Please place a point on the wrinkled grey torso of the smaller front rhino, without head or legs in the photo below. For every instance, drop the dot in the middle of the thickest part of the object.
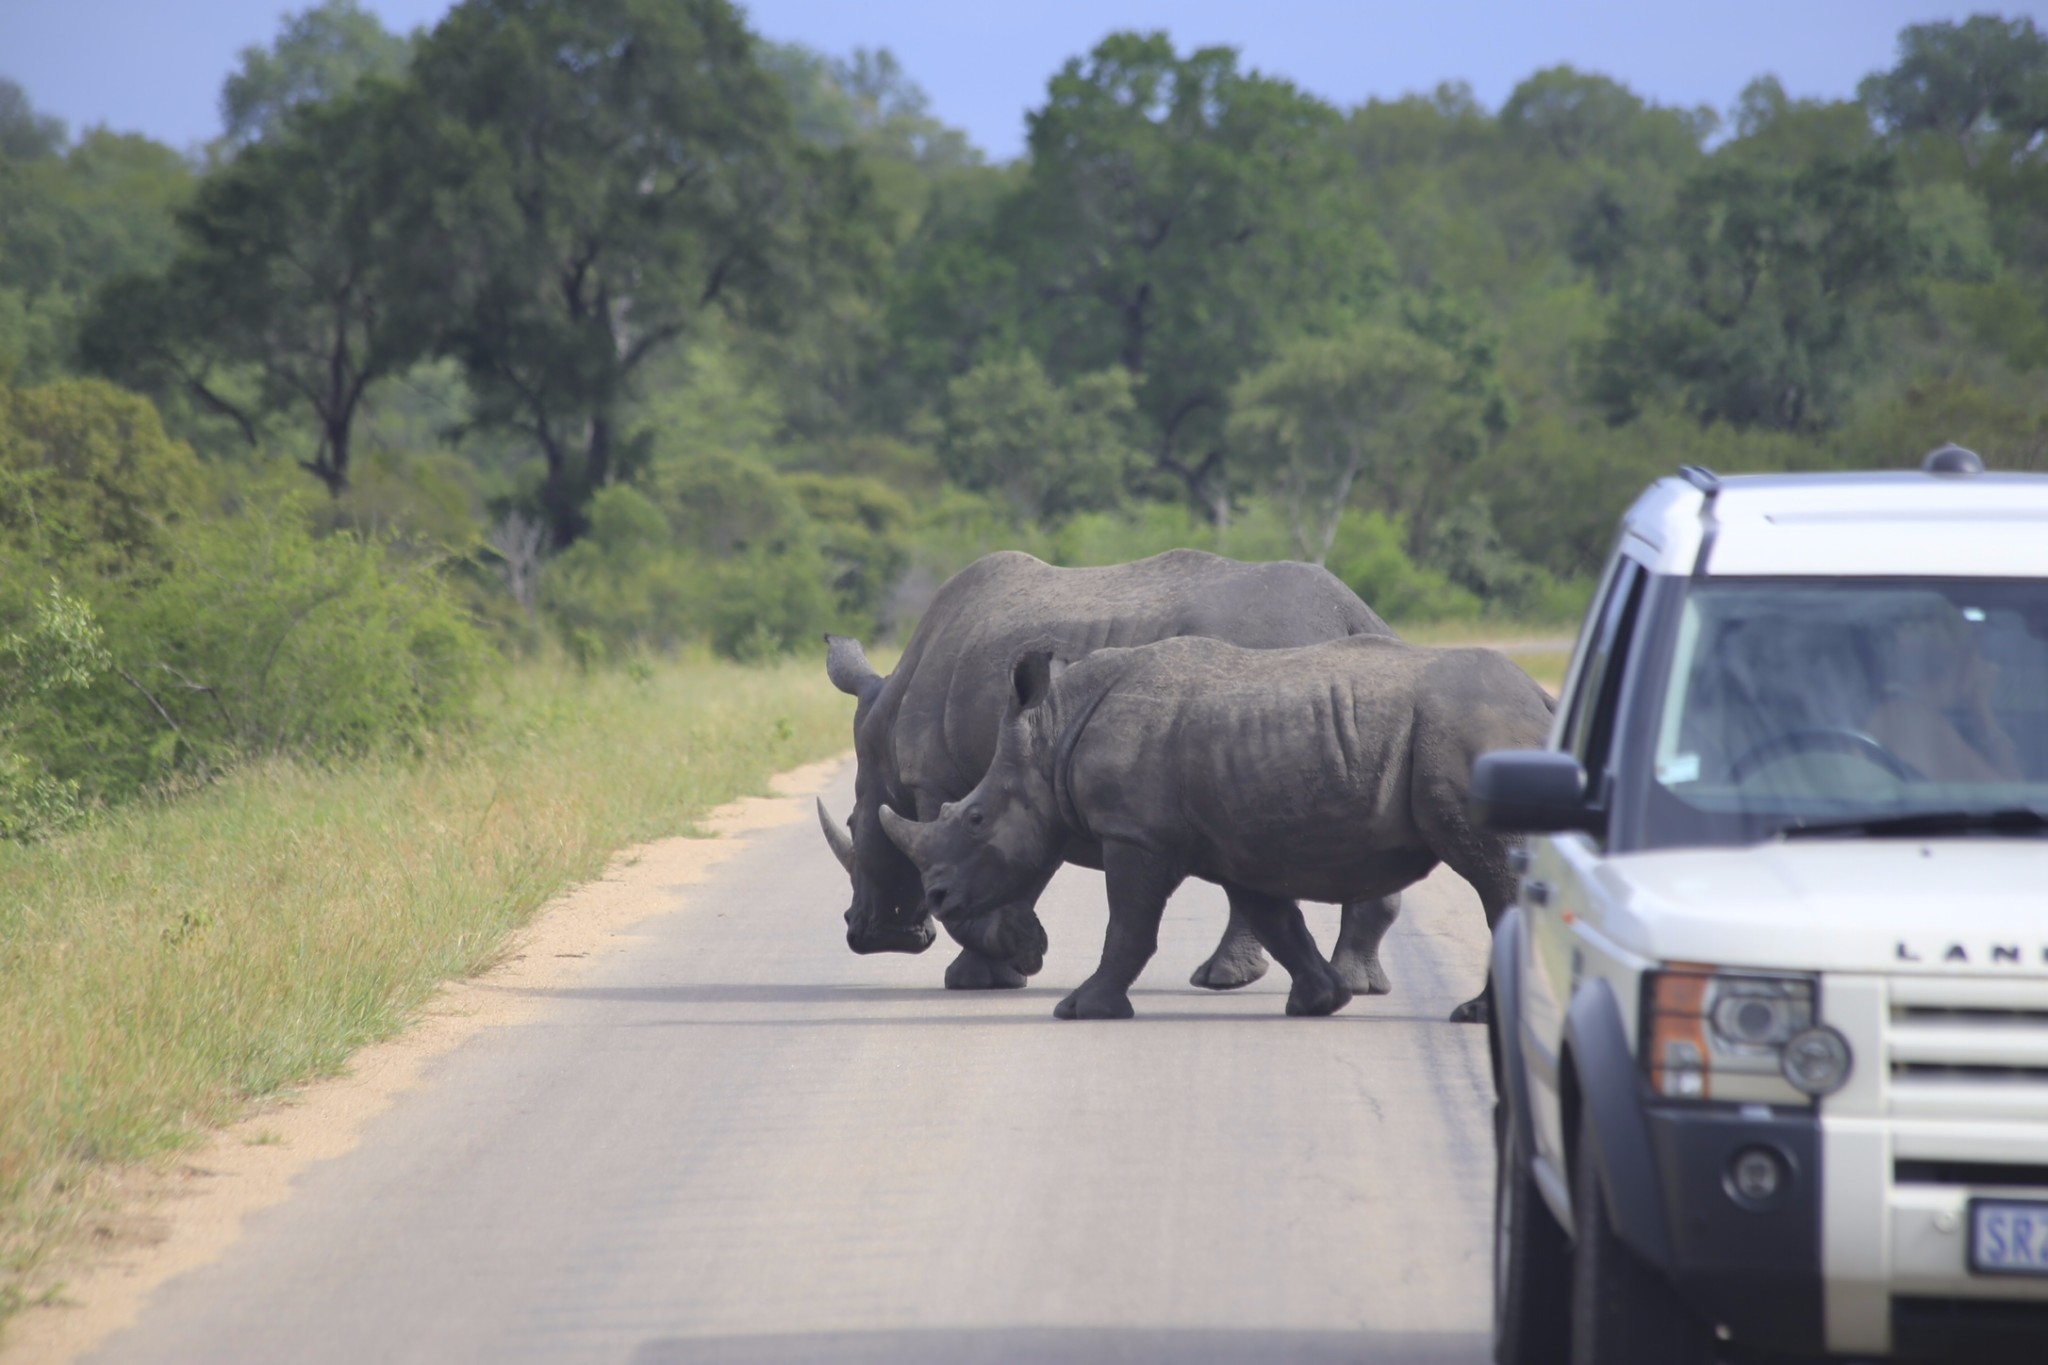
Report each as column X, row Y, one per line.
column 1244, row 762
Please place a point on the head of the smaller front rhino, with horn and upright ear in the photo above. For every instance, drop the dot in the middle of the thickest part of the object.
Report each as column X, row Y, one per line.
column 1002, row 842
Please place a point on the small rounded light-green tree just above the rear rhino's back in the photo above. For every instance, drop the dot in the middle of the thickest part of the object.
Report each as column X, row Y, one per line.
column 1050, row 449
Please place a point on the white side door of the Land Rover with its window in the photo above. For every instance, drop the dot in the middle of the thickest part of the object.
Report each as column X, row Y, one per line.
column 1562, row 867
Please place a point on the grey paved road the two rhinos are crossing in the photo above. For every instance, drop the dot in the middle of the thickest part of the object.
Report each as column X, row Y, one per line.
column 740, row 1143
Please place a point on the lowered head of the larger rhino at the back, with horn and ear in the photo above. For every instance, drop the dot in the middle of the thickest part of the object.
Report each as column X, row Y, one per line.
column 888, row 912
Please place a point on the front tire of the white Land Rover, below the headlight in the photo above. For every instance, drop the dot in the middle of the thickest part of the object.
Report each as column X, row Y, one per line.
column 1623, row 1313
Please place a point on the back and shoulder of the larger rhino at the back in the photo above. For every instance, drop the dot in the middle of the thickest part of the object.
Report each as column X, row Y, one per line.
column 947, row 697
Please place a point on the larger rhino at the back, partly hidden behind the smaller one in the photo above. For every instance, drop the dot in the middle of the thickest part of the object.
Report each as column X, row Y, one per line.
column 927, row 734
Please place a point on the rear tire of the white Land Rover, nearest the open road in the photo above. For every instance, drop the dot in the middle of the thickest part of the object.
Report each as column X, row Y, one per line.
column 1531, row 1258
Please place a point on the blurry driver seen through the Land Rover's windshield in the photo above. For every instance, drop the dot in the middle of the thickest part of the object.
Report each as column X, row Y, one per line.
column 1936, row 711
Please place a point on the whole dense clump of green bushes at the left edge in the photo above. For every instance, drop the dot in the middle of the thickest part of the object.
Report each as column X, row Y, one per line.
column 183, row 642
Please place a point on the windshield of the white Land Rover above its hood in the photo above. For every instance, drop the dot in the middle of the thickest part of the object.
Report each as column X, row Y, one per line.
column 1801, row 703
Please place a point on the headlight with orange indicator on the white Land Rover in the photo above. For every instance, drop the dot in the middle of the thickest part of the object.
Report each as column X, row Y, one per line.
column 1736, row 1037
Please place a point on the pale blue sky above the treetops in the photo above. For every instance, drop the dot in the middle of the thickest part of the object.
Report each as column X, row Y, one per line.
column 157, row 67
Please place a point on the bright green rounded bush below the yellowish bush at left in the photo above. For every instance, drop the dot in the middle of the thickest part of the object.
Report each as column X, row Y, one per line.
column 263, row 640
